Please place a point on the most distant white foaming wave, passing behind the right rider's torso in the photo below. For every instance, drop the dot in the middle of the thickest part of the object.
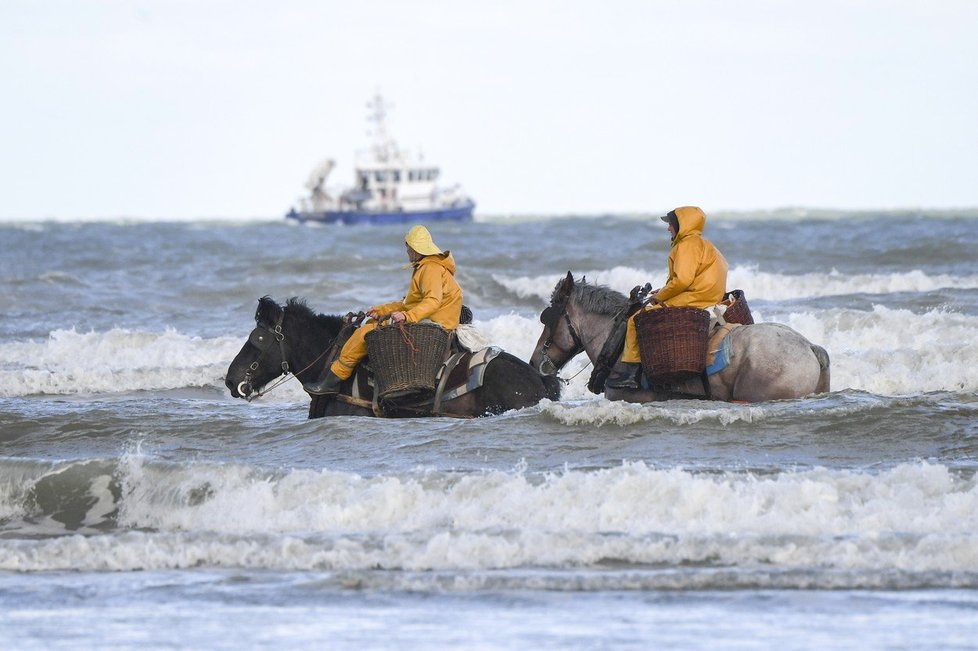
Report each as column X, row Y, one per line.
column 756, row 284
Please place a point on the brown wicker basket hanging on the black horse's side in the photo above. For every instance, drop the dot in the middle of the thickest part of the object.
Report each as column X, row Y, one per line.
column 405, row 357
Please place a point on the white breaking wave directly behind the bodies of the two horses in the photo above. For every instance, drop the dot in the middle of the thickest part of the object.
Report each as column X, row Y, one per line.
column 884, row 351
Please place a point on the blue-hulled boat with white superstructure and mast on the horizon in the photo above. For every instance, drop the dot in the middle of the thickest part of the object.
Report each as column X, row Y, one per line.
column 390, row 186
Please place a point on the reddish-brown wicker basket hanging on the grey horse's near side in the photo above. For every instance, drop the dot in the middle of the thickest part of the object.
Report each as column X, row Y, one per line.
column 672, row 342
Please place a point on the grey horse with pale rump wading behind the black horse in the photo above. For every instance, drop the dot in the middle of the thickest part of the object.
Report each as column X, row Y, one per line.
column 768, row 361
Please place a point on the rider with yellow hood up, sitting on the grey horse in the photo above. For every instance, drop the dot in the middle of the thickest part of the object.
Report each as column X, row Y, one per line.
column 697, row 278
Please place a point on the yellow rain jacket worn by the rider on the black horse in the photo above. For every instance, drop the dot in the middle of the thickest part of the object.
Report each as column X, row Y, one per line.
column 433, row 293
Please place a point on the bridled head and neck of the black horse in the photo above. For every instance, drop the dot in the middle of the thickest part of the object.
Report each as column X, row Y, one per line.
column 286, row 339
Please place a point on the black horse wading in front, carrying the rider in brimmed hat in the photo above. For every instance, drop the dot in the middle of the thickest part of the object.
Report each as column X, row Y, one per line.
column 294, row 339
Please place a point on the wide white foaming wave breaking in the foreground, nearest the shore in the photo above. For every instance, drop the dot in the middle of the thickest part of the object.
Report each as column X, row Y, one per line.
column 912, row 518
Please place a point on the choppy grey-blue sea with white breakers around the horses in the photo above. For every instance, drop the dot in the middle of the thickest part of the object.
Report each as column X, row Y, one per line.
column 142, row 507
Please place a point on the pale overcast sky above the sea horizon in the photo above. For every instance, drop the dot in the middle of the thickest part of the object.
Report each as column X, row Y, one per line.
column 221, row 108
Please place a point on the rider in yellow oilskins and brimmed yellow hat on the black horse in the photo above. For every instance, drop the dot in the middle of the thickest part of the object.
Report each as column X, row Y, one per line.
column 433, row 295
